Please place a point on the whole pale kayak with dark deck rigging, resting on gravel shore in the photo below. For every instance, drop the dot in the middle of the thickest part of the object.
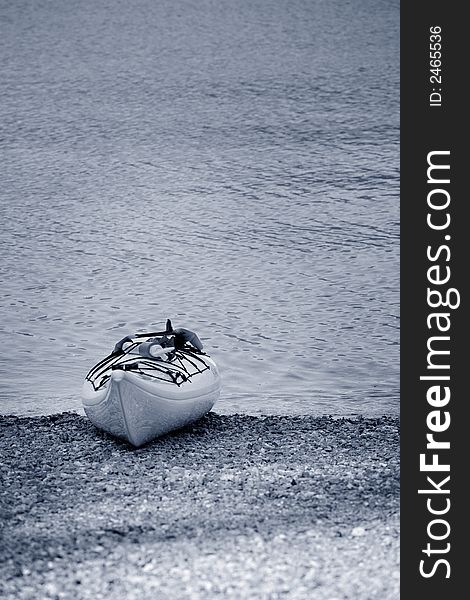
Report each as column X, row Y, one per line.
column 151, row 385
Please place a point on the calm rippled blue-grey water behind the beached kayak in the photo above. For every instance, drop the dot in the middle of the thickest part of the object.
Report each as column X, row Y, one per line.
column 231, row 165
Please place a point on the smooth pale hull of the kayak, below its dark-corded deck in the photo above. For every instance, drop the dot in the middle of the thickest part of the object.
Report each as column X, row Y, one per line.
column 138, row 409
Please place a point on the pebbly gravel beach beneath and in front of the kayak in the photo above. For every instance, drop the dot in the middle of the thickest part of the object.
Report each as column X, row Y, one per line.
column 231, row 507
